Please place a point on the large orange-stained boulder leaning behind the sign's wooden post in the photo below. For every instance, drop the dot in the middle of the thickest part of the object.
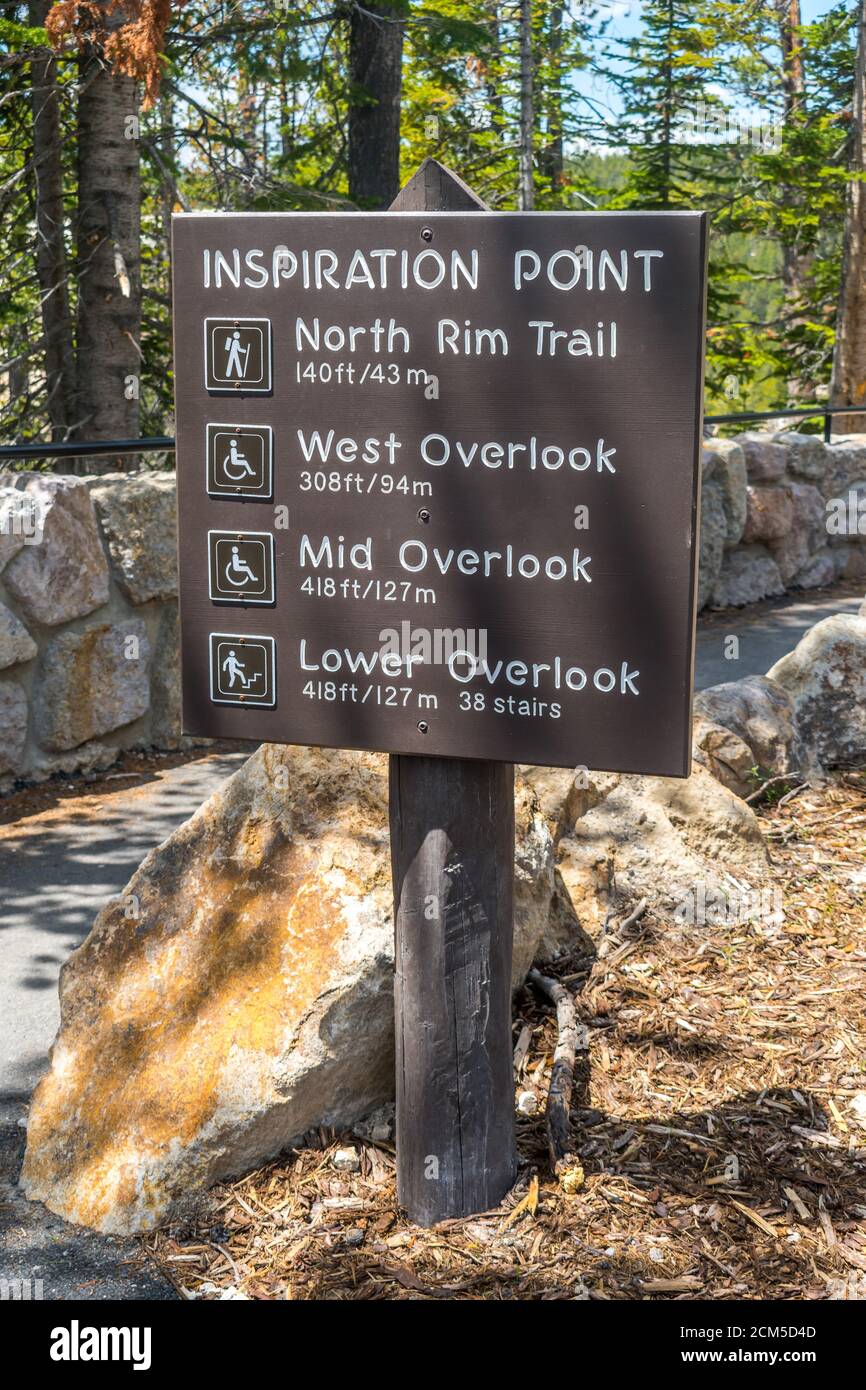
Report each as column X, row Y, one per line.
column 238, row 993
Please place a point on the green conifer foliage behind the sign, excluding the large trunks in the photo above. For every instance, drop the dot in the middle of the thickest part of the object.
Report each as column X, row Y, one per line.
column 254, row 116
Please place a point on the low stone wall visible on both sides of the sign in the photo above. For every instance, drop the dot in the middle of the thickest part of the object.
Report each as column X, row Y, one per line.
column 88, row 586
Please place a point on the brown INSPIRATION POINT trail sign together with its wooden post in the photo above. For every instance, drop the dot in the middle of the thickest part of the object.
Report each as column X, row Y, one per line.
column 439, row 489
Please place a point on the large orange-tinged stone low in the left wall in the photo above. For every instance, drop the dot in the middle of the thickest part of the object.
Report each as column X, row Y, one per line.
column 92, row 683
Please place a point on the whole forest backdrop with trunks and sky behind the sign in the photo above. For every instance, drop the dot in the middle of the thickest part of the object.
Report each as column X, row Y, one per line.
column 116, row 113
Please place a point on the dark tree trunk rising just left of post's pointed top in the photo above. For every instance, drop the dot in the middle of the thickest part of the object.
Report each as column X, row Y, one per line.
column 376, row 59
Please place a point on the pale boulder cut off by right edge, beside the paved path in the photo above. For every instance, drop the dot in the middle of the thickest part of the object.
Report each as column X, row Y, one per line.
column 826, row 679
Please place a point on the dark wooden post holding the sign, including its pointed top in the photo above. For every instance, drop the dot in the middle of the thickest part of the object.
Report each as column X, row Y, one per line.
column 452, row 856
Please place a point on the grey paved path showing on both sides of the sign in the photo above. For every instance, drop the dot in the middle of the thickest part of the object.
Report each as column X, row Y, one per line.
column 59, row 867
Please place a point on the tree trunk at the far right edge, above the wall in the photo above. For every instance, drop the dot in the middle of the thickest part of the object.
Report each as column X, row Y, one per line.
column 850, row 357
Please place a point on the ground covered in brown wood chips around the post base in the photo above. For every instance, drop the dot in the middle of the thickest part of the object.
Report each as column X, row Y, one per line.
column 719, row 1117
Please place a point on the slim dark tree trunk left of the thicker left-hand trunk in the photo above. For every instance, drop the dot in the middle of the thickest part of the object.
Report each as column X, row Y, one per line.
column 51, row 250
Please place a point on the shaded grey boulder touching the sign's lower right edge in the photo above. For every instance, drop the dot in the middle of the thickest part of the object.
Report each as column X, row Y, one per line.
column 758, row 717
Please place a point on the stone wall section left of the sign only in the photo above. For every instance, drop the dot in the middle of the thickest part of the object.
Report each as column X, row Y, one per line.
column 88, row 621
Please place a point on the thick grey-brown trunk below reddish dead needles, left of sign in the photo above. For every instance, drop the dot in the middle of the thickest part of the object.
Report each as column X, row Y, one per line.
column 109, row 258
